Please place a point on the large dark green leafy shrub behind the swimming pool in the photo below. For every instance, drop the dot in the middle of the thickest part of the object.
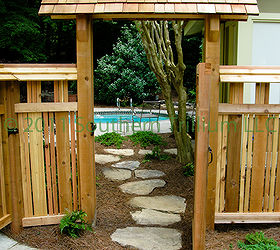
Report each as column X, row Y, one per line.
column 125, row 73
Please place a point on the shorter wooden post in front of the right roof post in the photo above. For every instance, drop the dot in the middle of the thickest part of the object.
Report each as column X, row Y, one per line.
column 201, row 155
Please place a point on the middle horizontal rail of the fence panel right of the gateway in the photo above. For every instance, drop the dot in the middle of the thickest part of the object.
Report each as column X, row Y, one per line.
column 236, row 109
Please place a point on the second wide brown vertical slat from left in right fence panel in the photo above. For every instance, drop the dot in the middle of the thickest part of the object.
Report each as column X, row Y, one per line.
column 259, row 155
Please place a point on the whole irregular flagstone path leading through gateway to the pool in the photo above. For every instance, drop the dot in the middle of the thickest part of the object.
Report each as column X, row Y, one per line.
column 155, row 212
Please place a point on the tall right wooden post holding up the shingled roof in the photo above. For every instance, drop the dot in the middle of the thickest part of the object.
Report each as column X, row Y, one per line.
column 212, row 56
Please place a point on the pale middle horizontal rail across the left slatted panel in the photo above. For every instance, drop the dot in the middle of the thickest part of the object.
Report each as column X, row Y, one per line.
column 45, row 107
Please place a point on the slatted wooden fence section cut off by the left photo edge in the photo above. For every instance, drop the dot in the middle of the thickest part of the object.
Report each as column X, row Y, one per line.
column 5, row 216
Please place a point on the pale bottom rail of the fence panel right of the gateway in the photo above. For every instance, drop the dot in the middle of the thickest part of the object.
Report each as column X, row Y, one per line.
column 240, row 218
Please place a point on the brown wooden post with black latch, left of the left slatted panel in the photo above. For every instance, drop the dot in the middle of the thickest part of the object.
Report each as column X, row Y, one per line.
column 13, row 96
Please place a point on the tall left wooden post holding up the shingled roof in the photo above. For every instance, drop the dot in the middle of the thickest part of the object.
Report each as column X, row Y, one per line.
column 85, row 115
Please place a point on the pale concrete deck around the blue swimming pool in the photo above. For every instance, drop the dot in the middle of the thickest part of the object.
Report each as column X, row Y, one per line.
column 126, row 128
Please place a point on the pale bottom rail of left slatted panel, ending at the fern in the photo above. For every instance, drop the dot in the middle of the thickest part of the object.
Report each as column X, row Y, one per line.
column 42, row 220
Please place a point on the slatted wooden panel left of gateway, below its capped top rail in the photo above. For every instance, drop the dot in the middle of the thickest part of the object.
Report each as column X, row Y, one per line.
column 48, row 155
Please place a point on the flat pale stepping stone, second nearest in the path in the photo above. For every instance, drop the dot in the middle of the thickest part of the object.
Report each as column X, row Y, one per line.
column 153, row 217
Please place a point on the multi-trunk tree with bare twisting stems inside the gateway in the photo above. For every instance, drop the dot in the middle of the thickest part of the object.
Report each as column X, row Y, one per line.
column 166, row 60
